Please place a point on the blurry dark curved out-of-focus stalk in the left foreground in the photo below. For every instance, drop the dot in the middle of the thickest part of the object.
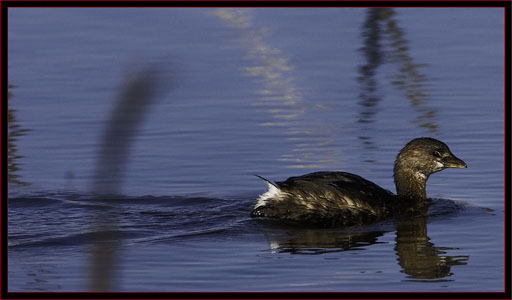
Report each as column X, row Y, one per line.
column 120, row 131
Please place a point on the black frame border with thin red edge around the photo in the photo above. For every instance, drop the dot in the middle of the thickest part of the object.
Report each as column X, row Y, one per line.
column 261, row 295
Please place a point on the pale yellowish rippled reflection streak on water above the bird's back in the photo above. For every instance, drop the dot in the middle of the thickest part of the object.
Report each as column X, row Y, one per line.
column 278, row 95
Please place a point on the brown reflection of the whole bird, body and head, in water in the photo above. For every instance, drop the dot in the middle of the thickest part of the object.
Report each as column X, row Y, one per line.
column 419, row 258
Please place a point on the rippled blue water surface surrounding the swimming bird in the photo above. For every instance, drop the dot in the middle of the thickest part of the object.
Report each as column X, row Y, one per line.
column 229, row 93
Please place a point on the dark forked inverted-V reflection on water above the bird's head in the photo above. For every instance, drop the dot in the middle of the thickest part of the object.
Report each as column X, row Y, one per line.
column 380, row 27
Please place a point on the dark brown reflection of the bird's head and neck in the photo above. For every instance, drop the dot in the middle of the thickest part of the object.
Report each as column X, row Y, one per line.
column 417, row 256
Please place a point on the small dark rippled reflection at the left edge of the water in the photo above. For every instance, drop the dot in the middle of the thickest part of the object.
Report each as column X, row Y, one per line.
column 15, row 132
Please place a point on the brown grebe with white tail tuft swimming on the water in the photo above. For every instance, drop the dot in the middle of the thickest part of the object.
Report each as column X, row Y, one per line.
column 346, row 199
